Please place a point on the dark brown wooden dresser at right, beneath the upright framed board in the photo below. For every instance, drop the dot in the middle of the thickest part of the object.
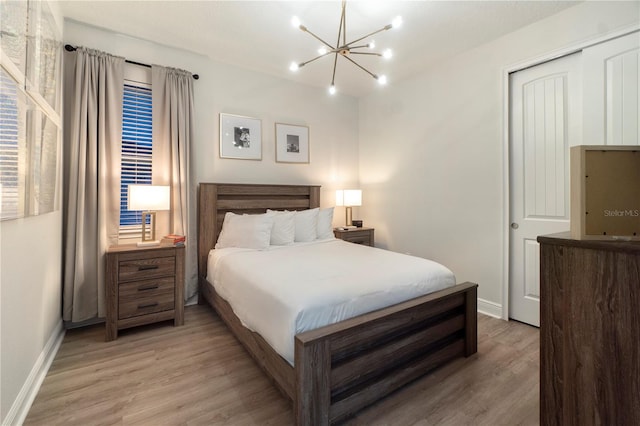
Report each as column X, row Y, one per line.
column 589, row 332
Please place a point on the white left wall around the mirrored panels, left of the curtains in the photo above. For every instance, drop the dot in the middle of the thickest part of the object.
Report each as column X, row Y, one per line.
column 30, row 291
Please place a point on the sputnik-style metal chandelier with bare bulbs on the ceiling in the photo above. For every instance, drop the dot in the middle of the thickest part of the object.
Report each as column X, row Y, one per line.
column 344, row 49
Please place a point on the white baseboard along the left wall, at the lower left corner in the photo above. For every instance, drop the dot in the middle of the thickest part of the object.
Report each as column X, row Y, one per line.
column 21, row 406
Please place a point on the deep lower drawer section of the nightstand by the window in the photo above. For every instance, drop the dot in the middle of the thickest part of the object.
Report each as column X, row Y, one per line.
column 146, row 297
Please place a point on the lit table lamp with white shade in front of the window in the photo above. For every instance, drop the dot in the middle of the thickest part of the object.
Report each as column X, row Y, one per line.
column 148, row 198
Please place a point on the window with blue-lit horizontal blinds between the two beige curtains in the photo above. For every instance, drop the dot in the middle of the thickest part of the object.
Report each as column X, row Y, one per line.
column 137, row 149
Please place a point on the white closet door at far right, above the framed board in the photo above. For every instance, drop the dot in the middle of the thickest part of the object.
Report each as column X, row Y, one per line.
column 611, row 80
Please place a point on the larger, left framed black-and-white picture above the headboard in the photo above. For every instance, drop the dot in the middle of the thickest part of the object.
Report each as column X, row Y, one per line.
column 240, row 137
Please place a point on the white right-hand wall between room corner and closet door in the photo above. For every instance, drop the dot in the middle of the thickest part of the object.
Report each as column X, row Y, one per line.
column 431, row 149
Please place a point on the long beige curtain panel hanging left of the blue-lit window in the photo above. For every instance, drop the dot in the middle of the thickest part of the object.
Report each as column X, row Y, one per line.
column 92, row 139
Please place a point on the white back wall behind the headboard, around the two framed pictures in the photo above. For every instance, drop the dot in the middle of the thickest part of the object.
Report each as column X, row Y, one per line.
column 222, row 88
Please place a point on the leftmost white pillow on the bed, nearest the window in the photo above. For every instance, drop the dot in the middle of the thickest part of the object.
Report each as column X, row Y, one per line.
column 246, row 231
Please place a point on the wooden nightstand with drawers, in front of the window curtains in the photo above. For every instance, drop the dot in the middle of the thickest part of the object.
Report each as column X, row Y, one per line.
column 144, row 285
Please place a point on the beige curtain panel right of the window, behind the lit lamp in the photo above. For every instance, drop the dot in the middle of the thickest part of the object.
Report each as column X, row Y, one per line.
column 172, row 134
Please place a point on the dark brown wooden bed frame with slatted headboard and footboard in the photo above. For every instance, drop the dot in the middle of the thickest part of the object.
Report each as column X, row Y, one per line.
column 343, row 367
